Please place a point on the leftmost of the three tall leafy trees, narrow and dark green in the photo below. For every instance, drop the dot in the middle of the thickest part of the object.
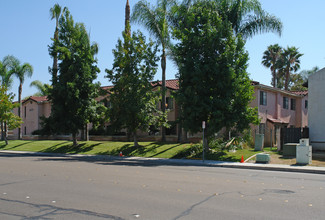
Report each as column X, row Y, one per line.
column 74, row 95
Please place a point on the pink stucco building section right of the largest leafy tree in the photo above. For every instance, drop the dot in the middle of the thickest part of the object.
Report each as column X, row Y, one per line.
column 278, row 108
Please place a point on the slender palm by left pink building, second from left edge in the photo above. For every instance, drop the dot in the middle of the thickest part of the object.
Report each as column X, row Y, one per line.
column 20, row 71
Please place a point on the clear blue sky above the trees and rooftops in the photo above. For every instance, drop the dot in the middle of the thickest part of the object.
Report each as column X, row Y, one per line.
column 26, row 29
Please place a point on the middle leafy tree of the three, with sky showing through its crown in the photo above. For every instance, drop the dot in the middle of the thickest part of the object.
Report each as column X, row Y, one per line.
column 133, row 103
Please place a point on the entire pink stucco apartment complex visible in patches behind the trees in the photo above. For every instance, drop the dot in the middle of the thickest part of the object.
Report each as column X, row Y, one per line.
column 276, row 108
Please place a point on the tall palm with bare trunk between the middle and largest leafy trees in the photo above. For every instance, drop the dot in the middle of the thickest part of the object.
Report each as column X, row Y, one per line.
column 155, row 20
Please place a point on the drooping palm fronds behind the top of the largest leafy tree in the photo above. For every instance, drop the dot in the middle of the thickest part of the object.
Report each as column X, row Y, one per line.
column 247, row 17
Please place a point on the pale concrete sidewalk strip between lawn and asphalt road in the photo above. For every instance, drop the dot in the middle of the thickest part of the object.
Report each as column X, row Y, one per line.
column 162, row 161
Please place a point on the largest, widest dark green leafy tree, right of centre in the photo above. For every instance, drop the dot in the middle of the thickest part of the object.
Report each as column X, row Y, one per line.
column 214, row 84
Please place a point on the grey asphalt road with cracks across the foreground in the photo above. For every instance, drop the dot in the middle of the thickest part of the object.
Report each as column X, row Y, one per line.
column 34, row 187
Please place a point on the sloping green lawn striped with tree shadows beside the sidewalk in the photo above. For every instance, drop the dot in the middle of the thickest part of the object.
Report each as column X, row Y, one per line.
column 146, row 149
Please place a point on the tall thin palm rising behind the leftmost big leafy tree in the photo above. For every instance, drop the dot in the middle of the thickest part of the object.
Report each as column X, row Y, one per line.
column 55, row 13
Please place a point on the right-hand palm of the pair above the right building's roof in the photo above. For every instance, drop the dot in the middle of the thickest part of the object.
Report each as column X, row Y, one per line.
column 290, row 60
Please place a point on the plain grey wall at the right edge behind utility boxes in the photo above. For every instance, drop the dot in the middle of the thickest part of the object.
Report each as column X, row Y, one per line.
column 316, row 109
